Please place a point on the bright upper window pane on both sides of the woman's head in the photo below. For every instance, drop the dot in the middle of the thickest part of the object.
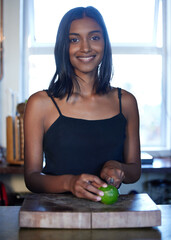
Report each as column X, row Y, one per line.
column 128, row 21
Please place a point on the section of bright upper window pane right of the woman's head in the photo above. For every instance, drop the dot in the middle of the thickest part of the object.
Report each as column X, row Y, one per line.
column 129, row 21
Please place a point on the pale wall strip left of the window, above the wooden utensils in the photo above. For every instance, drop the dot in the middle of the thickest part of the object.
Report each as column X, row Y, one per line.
column 12, row 70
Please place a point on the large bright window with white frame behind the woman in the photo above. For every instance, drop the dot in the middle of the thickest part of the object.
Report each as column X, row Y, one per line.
column 137, row 30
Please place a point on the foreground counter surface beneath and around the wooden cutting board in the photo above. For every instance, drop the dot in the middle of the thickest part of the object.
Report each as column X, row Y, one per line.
column 9, row 229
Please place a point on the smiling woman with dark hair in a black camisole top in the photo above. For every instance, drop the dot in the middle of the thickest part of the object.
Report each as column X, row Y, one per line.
column 88, row 130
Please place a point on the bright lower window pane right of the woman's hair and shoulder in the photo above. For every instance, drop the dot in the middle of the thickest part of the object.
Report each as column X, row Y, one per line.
column 141, row 75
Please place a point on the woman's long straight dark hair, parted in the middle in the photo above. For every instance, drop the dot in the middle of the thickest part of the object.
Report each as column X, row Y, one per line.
column 62, row 82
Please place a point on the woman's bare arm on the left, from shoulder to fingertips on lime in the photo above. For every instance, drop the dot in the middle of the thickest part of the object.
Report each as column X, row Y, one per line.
column 83, row 186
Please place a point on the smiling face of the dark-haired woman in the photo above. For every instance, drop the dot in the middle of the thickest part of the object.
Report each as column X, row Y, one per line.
column 86, row 45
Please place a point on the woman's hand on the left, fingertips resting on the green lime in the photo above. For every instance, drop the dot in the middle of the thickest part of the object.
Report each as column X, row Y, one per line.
column 86, row 186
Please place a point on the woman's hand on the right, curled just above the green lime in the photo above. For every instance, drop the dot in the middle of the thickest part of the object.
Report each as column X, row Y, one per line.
column 112, row 172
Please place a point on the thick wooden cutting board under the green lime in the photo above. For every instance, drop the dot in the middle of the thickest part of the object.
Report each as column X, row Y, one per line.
column 67, row 211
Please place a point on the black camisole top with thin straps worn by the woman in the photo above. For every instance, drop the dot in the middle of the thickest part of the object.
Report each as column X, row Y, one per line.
column 75, row 146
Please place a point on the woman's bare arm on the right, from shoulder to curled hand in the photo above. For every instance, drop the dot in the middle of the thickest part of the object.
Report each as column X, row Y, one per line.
column 130, row 170
